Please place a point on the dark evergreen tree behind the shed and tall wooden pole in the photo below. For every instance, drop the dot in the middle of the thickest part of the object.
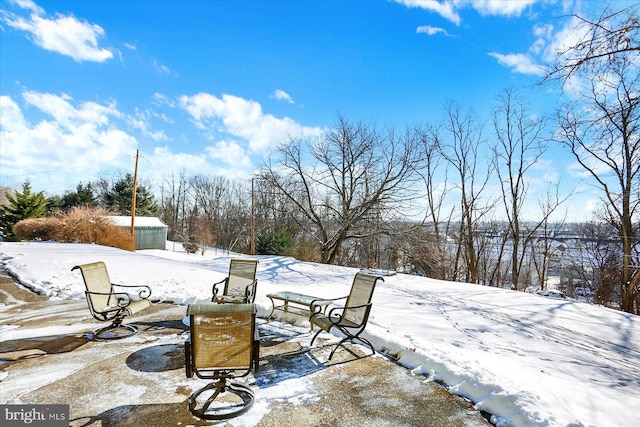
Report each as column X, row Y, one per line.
column 118, row 198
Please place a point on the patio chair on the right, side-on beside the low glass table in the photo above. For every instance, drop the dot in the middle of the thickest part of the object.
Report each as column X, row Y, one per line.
column 350, row 319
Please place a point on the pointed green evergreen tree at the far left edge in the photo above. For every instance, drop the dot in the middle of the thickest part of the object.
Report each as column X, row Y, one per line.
column 23, row 205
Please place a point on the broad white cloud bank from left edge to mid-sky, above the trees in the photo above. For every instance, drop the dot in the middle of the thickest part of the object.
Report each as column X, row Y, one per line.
column 73, row 141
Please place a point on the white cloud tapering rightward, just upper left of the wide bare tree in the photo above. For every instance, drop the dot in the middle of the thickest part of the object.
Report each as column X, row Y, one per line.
column 242, row 119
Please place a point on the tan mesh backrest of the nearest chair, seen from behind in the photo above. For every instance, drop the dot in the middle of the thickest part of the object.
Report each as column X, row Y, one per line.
column 222, row 337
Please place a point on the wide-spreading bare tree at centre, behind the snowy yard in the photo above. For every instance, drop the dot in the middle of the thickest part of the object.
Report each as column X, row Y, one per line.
column 339, row 182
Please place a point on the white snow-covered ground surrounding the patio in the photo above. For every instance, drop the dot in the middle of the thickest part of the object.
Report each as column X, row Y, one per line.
column 527, row 359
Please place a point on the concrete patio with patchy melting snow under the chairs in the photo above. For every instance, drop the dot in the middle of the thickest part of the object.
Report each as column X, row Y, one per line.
column 140, row 380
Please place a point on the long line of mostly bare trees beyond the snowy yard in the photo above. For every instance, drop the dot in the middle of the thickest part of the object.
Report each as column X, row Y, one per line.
column 421, row 200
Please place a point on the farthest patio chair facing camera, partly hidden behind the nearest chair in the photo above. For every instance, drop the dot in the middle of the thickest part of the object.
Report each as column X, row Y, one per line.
column 240, row 285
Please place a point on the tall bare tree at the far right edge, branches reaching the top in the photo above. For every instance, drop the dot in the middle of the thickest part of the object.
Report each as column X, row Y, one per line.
column 602, row 128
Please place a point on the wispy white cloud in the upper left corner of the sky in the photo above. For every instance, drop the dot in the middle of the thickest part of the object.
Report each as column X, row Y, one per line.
column 63, row 34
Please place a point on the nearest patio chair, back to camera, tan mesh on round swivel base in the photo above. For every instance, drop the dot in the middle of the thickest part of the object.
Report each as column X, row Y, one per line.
column 224, row 343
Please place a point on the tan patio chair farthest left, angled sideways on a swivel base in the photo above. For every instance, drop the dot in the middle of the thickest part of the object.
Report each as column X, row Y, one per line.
column 108, row 303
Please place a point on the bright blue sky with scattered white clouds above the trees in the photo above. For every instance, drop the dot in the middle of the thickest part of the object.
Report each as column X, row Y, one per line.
column 212, row 87
